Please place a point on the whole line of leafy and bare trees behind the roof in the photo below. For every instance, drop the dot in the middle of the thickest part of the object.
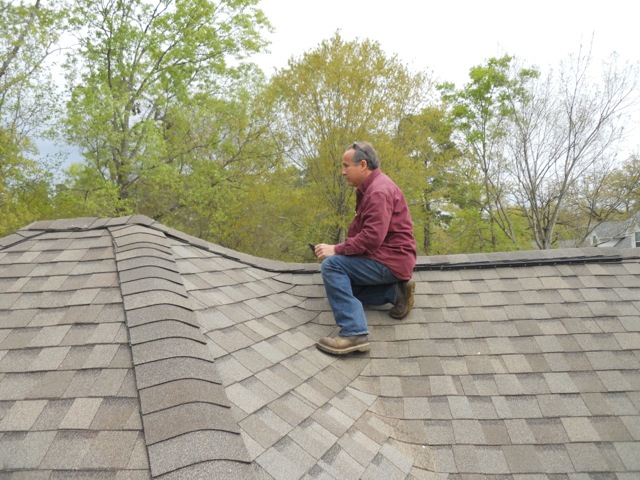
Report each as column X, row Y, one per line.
column 172, row 123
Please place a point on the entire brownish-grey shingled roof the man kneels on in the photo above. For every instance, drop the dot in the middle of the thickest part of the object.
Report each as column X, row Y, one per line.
column 131, row 350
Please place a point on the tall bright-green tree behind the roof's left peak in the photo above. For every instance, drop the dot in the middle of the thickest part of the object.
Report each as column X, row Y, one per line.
column 141, row 67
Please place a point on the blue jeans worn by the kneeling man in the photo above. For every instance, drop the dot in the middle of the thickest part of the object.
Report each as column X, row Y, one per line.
column 350, row 283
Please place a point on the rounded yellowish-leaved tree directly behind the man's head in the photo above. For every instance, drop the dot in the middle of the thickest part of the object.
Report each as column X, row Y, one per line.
column 333, row 95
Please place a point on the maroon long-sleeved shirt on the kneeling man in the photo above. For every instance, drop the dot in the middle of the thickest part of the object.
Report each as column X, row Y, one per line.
column 382, row 228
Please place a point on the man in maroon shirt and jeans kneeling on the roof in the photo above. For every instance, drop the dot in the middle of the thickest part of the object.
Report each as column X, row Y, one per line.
column 374, row 265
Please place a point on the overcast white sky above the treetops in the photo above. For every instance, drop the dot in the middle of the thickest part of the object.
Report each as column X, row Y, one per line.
column 449, row 37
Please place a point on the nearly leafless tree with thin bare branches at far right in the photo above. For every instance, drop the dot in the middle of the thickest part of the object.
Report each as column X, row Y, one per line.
column 564, row 136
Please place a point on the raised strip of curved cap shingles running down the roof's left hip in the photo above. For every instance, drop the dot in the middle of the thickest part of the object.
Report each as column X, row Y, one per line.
column 155, row 340
